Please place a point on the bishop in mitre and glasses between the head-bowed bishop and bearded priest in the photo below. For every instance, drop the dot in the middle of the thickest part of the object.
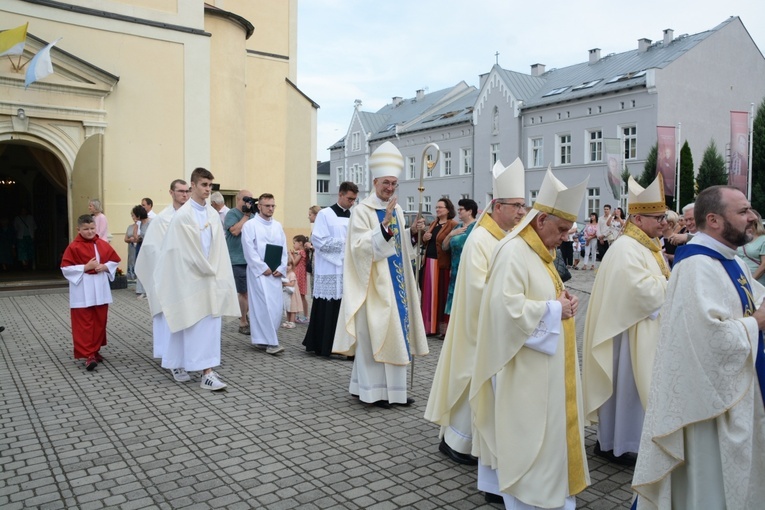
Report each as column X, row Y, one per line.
column 622, row 326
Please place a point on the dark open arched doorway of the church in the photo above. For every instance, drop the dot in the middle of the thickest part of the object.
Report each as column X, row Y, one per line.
column 33, row 200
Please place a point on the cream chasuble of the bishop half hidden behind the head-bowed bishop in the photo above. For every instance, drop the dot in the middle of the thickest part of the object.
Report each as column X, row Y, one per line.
column 451, row 382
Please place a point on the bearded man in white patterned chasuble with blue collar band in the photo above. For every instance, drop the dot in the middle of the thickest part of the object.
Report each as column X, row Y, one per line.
column 703, row 442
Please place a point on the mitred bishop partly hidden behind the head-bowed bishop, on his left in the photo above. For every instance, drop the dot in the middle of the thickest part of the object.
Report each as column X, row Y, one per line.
column 448, row 403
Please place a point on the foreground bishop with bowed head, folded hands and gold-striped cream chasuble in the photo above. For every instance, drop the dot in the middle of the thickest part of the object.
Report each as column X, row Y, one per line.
column 526, row 392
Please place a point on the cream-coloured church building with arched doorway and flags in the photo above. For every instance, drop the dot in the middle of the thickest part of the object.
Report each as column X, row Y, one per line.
column 143, row 92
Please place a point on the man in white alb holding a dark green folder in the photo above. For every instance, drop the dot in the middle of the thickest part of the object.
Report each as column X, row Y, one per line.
column 260, row 236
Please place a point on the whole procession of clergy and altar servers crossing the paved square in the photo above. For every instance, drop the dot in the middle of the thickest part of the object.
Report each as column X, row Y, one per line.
column 672, row 372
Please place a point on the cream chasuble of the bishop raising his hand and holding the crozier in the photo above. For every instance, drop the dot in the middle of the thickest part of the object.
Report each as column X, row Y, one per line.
column 368, row 283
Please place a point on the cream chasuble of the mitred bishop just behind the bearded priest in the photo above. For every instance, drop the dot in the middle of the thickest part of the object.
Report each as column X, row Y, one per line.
column 628, row 291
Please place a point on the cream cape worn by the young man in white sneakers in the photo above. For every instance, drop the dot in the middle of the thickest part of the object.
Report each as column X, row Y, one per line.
column 189, row 284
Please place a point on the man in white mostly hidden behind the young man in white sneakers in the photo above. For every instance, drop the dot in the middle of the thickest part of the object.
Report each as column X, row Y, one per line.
column 146, row 263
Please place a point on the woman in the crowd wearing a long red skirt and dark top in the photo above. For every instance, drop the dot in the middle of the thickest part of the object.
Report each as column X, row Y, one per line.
column 434, row 276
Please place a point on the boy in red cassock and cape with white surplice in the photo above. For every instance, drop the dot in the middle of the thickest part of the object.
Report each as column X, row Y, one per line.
column 89, row 263
